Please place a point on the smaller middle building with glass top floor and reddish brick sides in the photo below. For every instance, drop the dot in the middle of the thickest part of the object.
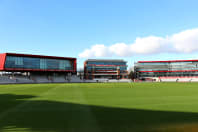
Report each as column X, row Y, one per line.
column 109, row 69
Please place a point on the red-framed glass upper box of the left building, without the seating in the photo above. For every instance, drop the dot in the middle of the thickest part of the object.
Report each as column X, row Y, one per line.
column 13, row 62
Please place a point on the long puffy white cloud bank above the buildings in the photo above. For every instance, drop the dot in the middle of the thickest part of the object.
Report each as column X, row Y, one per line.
column 183, row 42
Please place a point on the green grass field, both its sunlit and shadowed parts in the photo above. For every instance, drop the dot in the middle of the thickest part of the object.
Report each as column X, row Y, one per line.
column 99, row 107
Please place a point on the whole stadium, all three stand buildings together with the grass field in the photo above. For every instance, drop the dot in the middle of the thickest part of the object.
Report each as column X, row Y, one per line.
column 55, row 99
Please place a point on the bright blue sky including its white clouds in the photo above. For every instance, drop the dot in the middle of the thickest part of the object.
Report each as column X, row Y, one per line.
column 71, row 27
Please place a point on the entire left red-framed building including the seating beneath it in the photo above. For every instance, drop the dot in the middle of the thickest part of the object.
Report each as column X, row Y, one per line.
column 35, row 68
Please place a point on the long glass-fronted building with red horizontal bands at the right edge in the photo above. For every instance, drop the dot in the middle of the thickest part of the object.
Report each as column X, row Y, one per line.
column 173, row 68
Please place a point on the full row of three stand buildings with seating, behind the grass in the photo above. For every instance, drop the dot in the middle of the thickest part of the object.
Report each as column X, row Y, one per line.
column 27, row 68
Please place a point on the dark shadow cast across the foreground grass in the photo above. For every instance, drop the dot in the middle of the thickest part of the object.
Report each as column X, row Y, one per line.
column 19, row 114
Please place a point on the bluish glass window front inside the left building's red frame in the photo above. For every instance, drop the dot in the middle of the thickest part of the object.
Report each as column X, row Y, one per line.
column 38, row 63
